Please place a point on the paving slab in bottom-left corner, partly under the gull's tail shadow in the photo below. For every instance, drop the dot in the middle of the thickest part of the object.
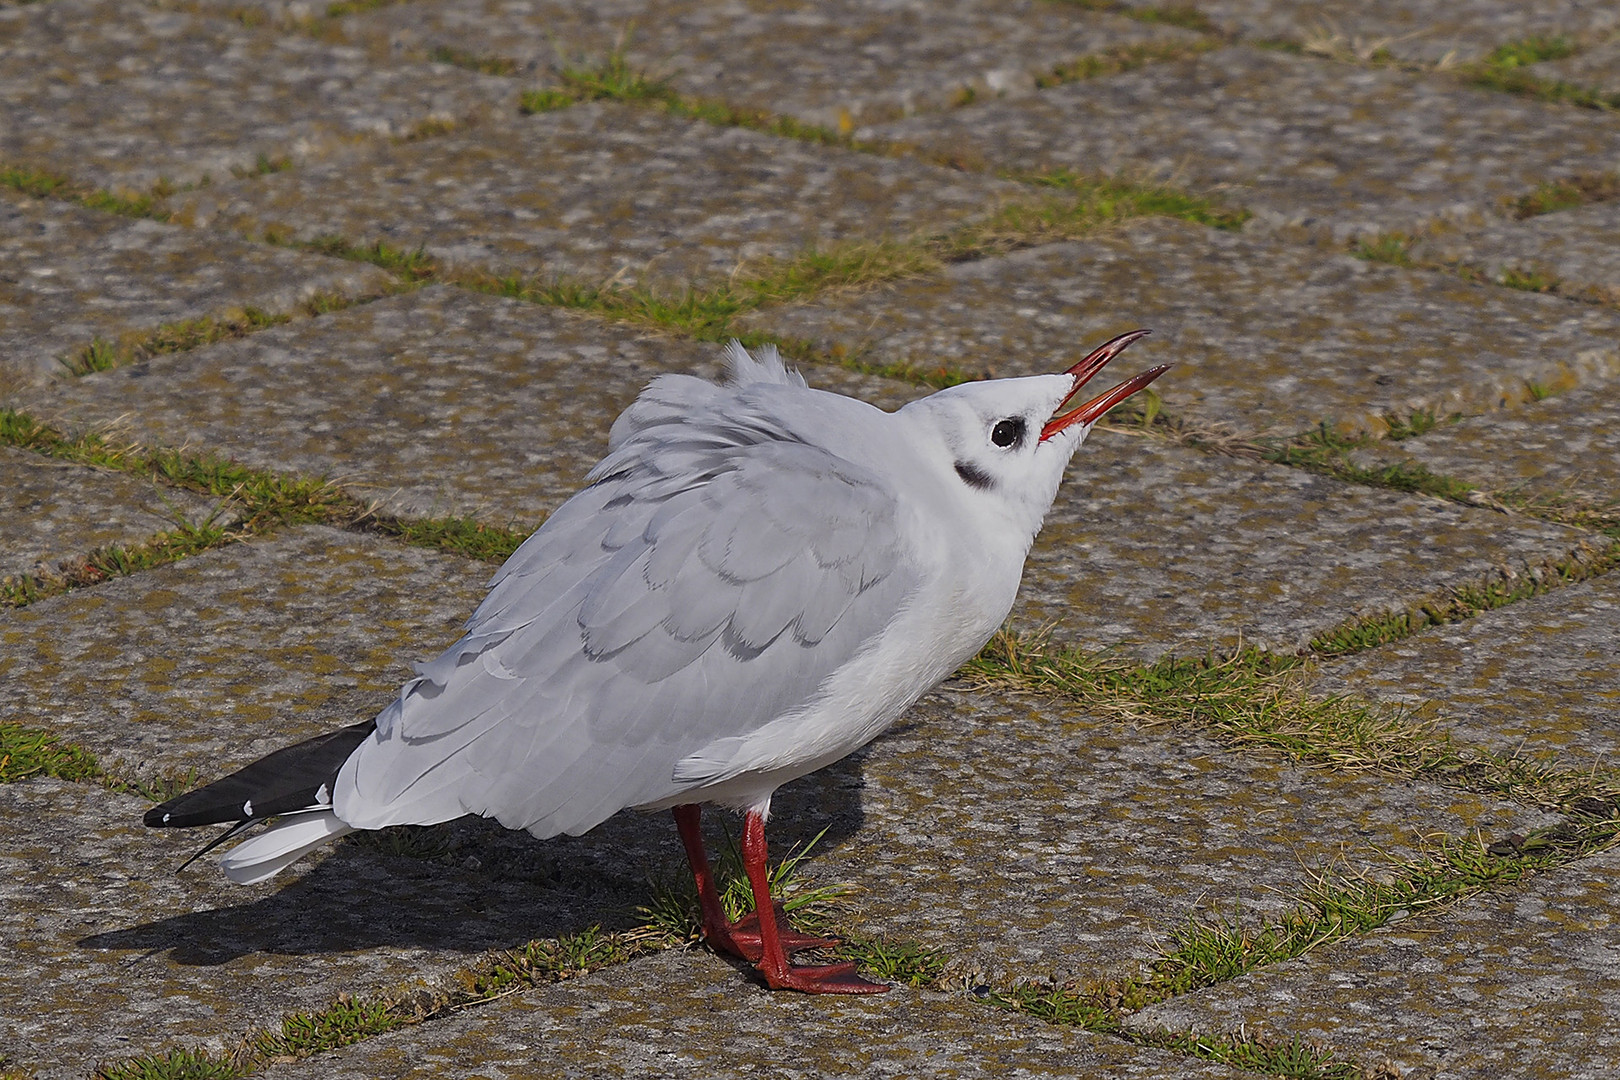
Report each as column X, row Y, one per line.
column 111, row 955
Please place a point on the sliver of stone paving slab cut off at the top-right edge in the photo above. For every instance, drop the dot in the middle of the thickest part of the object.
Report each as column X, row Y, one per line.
column 1412, row 30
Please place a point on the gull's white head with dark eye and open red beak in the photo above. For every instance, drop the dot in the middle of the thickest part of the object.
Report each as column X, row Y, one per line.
column 1007, row 440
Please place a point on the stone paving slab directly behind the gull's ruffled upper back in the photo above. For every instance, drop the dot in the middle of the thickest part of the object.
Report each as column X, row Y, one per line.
column 433, row 402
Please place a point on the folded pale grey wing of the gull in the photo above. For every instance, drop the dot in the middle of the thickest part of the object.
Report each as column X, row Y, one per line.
column 686, row 602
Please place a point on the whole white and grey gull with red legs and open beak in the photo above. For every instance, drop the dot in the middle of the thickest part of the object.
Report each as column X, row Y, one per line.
column 756, row 582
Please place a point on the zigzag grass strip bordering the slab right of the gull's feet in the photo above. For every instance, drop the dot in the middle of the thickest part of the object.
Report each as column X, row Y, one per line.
column 1251, row 700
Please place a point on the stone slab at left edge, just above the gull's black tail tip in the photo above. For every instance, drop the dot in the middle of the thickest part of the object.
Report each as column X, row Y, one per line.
column 218, row 660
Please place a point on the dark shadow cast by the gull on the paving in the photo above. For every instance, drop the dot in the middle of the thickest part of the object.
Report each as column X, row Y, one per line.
column 472, row 887
